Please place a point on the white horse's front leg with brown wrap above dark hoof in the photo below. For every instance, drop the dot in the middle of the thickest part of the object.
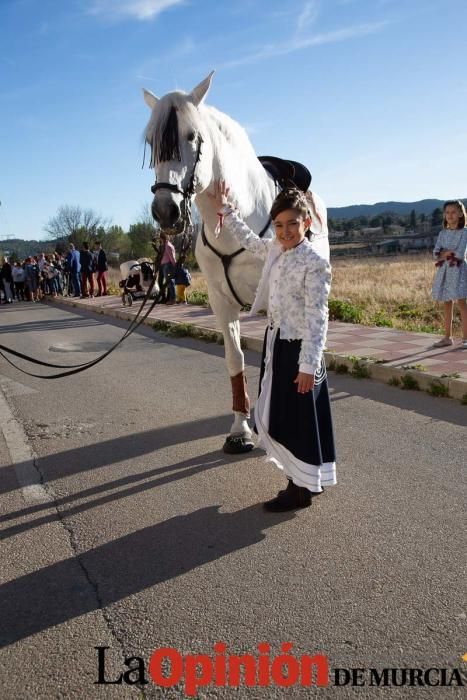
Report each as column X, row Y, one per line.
column 226, row 314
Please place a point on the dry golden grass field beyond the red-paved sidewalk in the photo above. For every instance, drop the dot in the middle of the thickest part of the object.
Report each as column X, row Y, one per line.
column 385, row 291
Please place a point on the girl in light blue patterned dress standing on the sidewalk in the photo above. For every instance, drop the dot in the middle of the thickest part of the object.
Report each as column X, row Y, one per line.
column 450, row 283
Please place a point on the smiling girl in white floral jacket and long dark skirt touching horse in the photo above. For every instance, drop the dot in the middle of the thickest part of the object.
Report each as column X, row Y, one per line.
column 292, row 413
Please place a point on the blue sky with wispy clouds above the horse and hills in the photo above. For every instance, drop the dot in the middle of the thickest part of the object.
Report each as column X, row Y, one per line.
column 370, row 94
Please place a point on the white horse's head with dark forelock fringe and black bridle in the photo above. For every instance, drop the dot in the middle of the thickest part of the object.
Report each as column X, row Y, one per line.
column 181, row 153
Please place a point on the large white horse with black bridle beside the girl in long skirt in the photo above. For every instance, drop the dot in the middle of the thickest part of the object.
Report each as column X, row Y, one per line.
column 192, row 147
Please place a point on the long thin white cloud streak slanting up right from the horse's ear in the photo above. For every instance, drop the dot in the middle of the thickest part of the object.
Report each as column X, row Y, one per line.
column 298, row 43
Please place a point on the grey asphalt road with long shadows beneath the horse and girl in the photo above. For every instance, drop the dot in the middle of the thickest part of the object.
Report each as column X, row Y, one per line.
column 124, row 525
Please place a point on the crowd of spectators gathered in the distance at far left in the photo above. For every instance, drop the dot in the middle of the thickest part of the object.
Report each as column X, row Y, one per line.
column 77, row 273
